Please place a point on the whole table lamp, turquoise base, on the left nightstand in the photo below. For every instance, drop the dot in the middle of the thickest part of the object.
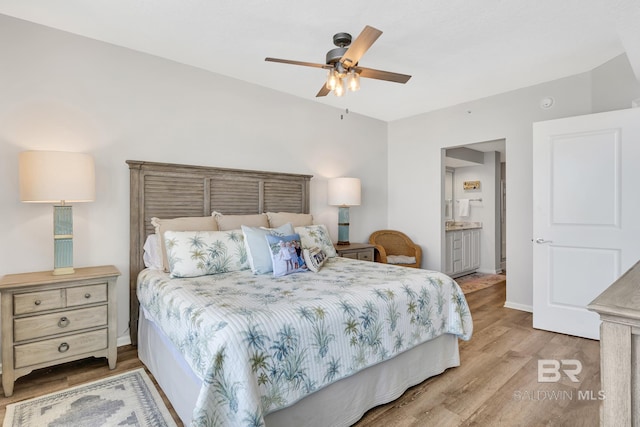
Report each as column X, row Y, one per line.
column 58, row 177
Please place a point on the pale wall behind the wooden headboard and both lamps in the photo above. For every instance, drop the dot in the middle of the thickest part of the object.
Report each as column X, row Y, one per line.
column 68, row 93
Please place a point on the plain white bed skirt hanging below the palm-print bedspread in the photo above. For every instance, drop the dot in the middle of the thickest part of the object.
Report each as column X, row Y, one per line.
column 339, row 404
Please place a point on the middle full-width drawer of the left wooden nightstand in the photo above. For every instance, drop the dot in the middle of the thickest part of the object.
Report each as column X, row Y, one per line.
column 57, row 323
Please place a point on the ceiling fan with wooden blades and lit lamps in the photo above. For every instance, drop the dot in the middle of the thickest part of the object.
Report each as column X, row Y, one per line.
column 342, row 63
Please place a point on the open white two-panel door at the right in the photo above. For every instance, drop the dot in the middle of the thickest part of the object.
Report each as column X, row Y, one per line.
column 586, row 214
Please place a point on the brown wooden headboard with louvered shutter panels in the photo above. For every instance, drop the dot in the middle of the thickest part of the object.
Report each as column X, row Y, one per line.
column 167, row 191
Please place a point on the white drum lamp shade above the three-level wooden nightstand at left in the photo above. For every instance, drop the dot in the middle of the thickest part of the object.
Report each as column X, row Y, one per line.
column 56, row 176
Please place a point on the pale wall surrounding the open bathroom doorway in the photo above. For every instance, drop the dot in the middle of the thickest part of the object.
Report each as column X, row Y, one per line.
column 416, row 172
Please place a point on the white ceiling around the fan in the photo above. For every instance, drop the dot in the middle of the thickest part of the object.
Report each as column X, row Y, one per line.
column 456, row 50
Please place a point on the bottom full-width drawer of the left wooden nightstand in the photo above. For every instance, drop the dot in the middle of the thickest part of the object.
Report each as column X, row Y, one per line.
column 59, row 348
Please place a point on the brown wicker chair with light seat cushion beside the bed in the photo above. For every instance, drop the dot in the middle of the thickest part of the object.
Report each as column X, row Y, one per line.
column 395, row 247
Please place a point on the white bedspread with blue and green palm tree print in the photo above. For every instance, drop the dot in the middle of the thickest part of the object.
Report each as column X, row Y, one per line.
column 261, row 343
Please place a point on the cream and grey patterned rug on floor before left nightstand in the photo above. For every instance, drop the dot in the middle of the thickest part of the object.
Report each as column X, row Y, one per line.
column 128, row 399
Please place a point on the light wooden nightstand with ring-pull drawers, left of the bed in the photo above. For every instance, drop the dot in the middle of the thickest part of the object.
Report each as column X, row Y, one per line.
column 48, row 320
